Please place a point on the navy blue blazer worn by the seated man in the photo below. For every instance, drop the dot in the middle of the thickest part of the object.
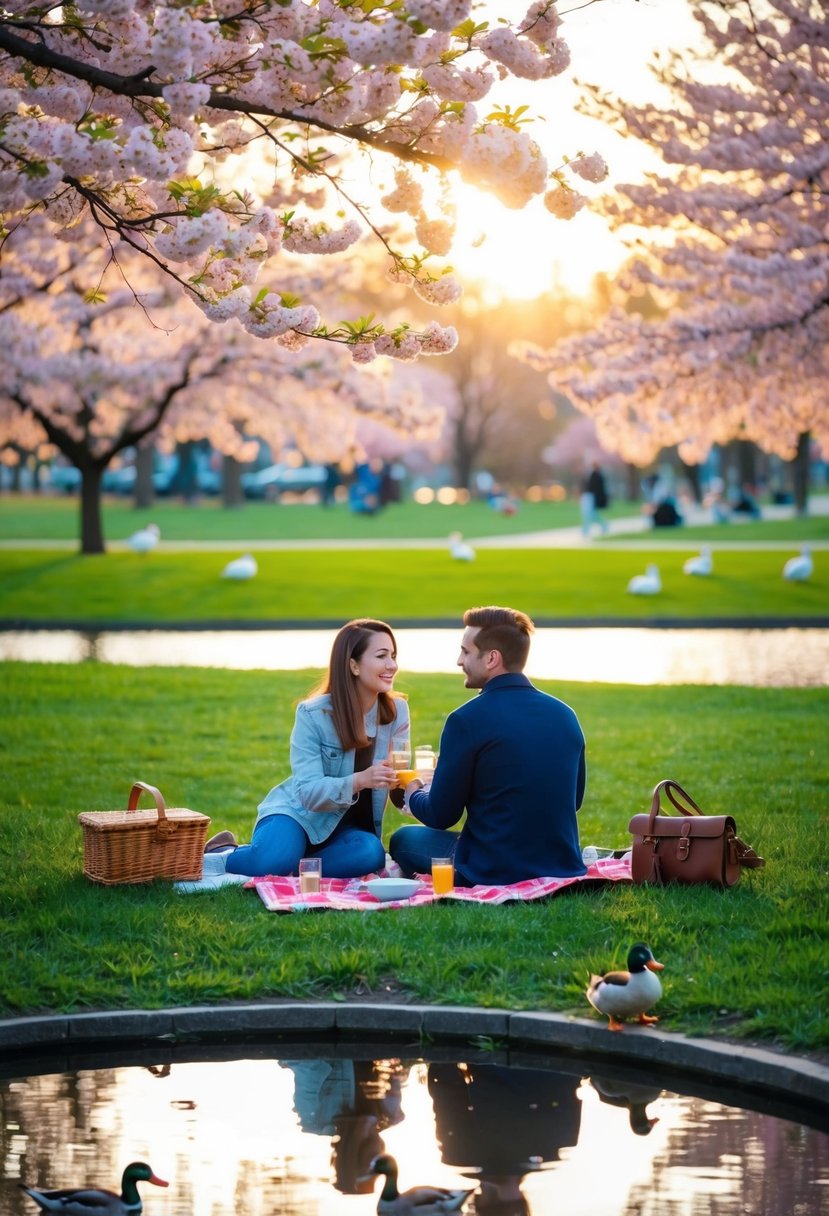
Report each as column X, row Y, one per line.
column 514, row 758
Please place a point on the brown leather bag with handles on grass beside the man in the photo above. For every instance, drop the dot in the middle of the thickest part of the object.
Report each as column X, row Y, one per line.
column 695, row 848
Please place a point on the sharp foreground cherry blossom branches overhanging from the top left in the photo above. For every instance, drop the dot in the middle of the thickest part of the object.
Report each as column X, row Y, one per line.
column 212, row 138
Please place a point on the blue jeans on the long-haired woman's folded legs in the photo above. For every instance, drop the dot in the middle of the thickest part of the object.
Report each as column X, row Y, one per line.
column 279, row 843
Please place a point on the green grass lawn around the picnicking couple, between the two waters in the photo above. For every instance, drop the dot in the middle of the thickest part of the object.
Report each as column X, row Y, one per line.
column 751, row 962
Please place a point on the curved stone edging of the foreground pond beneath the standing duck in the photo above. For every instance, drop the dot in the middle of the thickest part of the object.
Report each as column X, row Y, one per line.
column 793, row 1078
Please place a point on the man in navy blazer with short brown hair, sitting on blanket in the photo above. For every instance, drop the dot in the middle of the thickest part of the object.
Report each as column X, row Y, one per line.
column 514, row 758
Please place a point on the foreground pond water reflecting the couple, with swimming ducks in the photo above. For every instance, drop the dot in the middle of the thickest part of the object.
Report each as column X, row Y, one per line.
column 261, row 1136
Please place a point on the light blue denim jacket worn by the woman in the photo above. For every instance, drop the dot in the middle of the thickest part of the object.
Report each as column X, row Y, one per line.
column 322, row 786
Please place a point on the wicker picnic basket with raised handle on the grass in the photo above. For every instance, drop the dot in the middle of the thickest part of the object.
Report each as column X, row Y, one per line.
column 138, row 847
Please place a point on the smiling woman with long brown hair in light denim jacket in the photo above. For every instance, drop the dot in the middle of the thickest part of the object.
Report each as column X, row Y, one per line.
column 332, row 804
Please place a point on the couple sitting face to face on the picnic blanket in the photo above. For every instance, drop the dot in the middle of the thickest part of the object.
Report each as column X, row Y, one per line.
column 514, row 759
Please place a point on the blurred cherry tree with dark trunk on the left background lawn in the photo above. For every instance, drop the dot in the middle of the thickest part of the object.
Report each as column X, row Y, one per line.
column 88, row 373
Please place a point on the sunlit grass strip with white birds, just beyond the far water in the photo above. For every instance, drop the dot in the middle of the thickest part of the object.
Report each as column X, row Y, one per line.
column 392, row 584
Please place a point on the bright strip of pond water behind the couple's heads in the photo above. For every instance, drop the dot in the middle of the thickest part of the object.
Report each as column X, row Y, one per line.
column 770, row 658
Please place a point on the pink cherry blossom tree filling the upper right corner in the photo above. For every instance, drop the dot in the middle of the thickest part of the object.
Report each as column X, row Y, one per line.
column 737, row 249
